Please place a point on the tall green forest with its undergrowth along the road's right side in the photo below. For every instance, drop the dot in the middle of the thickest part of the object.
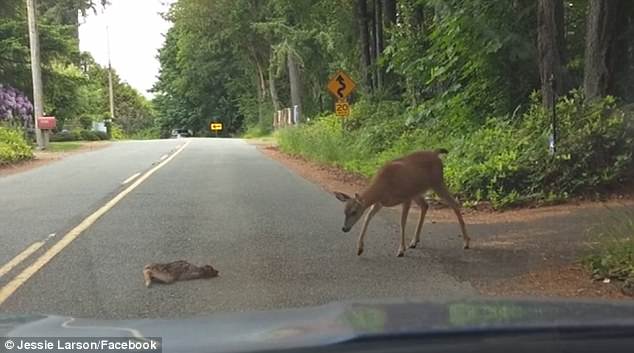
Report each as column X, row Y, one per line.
column 478, row 77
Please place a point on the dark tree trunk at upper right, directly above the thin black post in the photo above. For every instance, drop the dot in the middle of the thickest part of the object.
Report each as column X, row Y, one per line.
column 550, row 46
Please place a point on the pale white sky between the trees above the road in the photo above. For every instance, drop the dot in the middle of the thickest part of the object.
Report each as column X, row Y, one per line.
column 136, row 33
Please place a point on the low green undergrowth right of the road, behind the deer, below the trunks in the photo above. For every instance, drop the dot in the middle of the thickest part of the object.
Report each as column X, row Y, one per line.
column 504, row 160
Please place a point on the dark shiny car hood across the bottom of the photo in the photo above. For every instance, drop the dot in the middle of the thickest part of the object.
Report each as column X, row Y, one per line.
column 331, row 323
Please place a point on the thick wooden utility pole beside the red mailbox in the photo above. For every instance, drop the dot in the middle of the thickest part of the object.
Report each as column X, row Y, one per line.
column 36, row 71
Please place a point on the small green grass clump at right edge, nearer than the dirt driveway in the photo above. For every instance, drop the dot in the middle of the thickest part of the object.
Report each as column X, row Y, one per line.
column 613, row 249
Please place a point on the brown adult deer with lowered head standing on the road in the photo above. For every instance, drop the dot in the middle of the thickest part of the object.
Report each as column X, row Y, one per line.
column 401, row 182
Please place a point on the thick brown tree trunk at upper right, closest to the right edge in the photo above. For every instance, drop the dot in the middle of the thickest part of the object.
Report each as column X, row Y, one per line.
column 599, row 66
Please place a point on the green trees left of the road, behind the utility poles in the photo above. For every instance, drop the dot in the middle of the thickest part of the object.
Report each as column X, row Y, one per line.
column 75, row 86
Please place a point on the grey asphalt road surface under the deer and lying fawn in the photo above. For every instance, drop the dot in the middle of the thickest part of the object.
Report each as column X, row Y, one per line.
column 275, row 238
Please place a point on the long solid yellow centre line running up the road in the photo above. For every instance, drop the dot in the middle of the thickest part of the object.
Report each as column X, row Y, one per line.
column 27, row 273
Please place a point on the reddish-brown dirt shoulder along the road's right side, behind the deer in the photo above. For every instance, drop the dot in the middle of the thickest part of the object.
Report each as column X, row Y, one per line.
column 524, row 252
